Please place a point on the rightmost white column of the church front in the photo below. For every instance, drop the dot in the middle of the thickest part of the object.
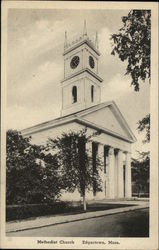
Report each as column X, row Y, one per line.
column 128, row 191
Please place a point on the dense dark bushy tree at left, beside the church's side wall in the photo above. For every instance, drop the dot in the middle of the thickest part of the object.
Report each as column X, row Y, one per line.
column 31, row 174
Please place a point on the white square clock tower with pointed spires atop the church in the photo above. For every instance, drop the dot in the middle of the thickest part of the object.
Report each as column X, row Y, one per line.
column 81, row 84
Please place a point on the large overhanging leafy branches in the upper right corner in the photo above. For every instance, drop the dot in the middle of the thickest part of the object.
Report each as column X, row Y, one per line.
column 133, row 43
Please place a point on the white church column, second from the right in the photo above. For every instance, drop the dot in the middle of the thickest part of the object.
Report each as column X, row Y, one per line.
column 120, row 180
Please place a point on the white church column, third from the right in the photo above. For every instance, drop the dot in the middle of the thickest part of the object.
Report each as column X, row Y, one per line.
column 111, row 173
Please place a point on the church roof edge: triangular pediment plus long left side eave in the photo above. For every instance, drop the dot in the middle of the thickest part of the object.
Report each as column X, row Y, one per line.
column 105, row 117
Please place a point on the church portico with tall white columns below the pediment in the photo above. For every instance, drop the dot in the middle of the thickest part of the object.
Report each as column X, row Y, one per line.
column 115, row 176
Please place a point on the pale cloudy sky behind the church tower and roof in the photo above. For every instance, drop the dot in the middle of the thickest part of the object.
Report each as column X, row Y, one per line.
column 35, row 44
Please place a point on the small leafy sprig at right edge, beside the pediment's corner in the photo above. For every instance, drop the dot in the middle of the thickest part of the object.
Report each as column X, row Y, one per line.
column 144, row 124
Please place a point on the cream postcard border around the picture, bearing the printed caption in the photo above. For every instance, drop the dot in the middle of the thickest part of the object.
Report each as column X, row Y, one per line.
column 125, row 243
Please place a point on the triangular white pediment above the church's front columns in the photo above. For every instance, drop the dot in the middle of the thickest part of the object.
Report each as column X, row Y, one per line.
column 109, row 118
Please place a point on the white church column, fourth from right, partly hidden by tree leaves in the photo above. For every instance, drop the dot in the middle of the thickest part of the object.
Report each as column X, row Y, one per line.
column 101, row 195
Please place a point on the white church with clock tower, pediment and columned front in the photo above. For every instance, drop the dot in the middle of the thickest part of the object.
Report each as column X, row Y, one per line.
column 82, row 107
